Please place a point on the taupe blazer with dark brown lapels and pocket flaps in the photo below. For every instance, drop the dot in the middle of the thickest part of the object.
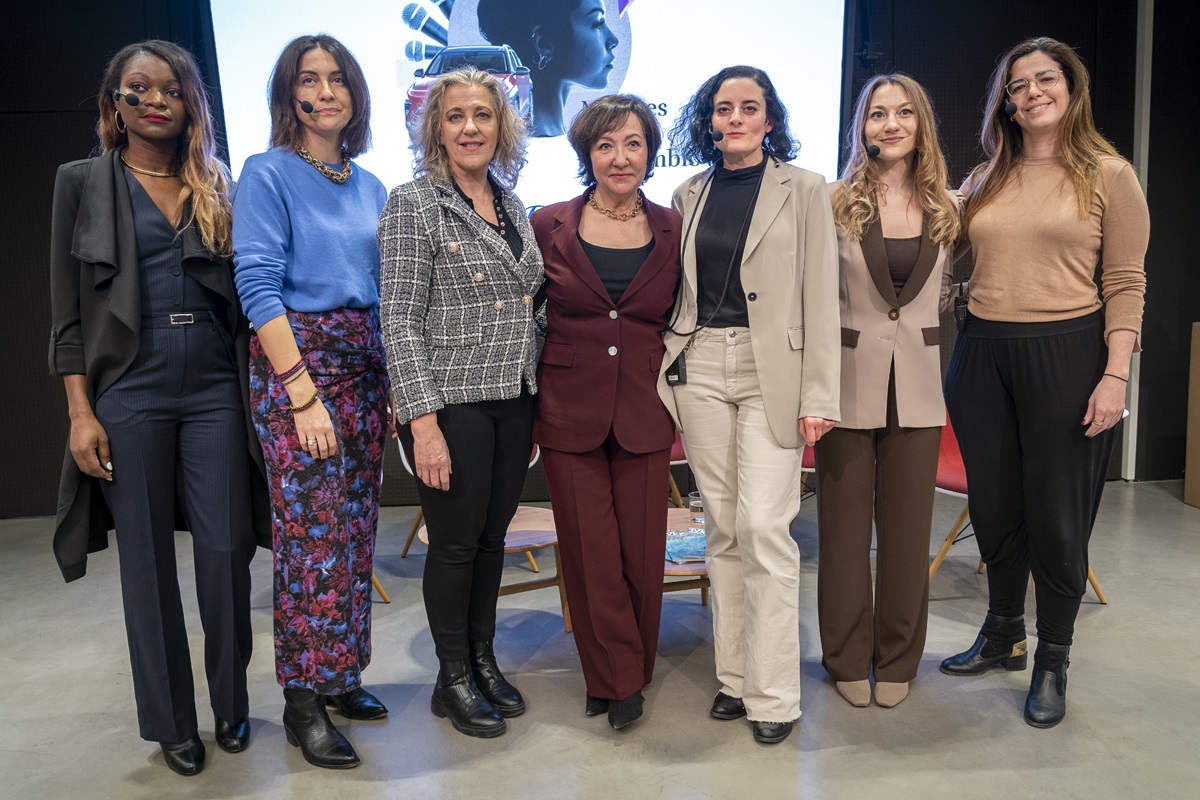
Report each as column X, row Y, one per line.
column 879, row 328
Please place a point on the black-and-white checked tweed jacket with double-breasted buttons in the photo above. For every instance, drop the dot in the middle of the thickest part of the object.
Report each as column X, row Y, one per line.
column 455, row 306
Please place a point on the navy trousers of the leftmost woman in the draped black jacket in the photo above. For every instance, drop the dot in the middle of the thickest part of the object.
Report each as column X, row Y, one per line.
column 177, row 430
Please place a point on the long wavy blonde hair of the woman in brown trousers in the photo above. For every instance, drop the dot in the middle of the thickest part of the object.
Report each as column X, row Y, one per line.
column 856, row 202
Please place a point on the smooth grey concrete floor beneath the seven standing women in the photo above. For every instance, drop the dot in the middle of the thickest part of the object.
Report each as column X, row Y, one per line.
column 1132, row 731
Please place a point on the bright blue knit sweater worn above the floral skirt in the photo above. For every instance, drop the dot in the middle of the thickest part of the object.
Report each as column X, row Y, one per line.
column 303, row 242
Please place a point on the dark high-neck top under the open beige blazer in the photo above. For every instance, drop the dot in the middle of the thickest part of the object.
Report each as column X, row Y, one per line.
column 721, row 242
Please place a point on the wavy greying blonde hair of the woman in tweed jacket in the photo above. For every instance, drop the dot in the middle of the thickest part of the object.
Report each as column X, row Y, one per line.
column 511, row 137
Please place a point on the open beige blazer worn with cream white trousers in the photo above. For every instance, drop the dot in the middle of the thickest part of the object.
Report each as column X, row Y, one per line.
column 790, row 279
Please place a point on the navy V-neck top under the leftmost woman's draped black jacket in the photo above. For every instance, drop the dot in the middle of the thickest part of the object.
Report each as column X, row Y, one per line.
column 166, row 288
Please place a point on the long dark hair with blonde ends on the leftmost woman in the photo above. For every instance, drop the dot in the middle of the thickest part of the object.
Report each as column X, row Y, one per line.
column 206, row 178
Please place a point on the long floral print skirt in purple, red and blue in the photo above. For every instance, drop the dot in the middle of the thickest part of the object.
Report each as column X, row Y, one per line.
column 325, row 513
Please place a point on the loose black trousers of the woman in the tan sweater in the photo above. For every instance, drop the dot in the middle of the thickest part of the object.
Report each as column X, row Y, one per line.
column 1017, row 394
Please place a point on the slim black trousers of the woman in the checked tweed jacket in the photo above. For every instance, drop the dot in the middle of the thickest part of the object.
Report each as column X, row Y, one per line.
column 490, row 444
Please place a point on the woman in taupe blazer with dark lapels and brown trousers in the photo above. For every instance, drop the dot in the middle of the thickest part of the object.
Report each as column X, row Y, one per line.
column 897, row 228
